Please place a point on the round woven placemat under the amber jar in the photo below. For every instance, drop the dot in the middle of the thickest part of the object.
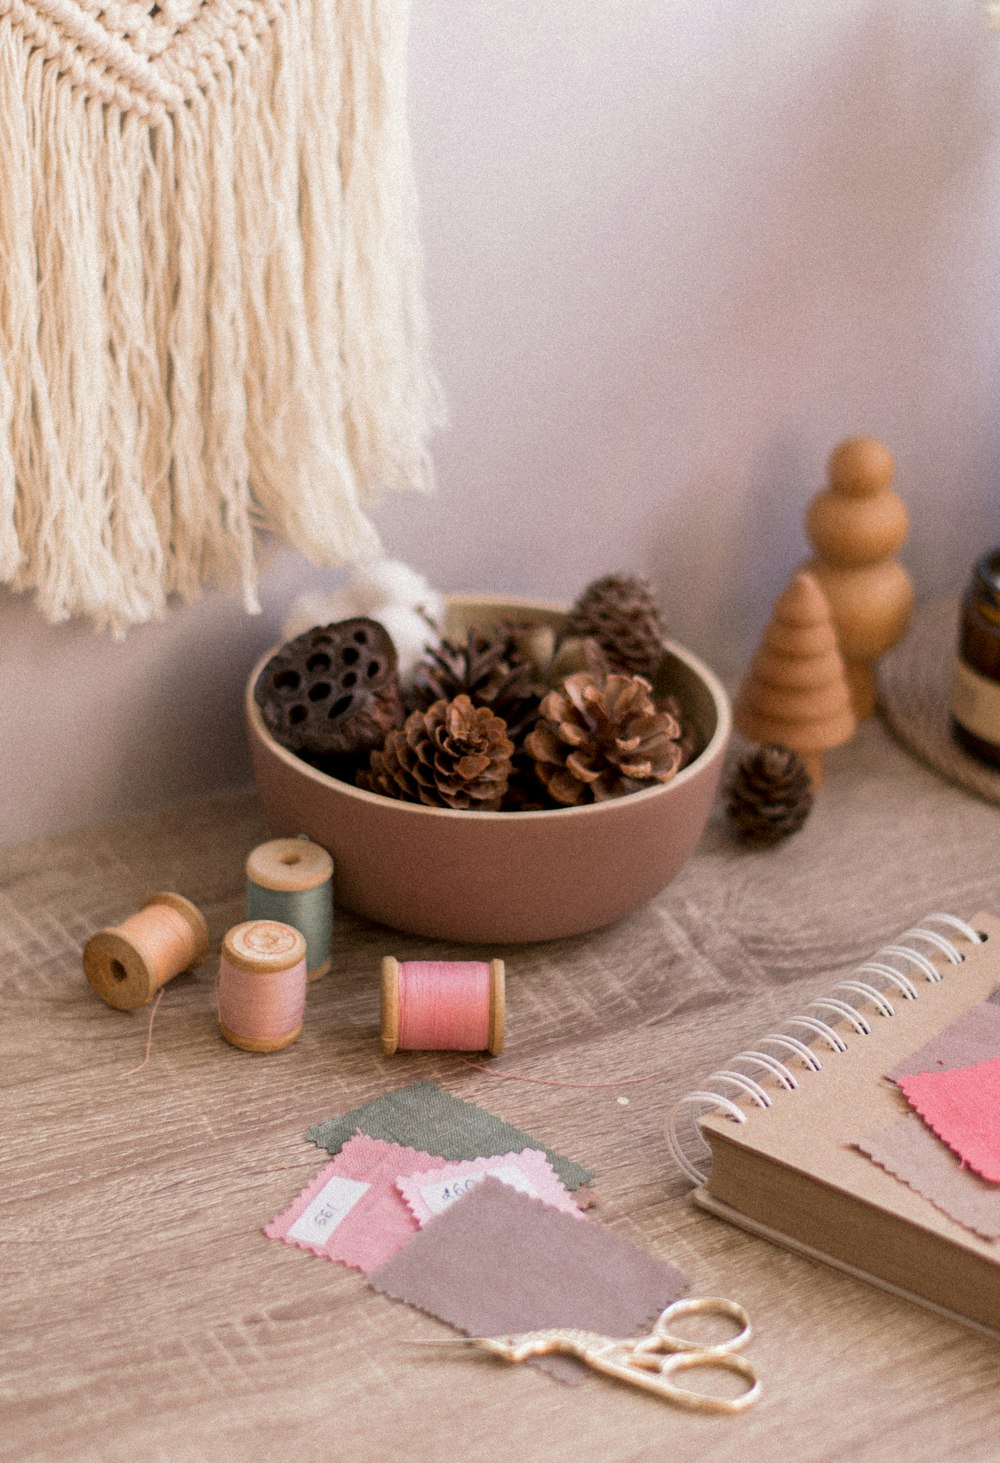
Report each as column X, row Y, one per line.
column 914, row 690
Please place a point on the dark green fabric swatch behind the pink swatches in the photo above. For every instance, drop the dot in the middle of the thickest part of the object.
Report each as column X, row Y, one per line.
column 426, row 1117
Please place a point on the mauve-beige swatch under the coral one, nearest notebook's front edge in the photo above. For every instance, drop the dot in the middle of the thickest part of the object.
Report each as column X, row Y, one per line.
column 912, row 1152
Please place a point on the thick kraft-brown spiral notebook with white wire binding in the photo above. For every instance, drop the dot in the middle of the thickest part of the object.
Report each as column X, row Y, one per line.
column 770, row 1137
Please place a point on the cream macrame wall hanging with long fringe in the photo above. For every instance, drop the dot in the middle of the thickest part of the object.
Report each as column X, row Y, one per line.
column 211, row 317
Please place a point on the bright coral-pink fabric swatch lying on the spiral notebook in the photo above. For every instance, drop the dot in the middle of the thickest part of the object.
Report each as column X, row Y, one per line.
column 963, row 1107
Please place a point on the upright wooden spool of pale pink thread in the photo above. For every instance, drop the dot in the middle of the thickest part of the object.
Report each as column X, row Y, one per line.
column 262, row 985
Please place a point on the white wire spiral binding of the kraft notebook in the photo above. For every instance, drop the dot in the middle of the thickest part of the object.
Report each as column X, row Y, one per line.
column 742, row 1075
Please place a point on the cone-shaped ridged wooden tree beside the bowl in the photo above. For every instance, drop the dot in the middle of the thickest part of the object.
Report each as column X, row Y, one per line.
column 796, row 691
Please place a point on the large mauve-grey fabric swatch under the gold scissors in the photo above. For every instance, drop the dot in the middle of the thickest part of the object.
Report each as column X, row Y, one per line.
column 499, row 1263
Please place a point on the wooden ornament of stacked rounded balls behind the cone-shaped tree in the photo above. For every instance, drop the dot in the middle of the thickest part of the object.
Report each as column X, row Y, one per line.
column 856, row 527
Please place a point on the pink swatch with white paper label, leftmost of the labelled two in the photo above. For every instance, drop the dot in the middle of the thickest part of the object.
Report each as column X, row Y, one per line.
column 353, row 1211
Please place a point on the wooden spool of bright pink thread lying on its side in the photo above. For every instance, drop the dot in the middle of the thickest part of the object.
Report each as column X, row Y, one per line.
column 439, row 1006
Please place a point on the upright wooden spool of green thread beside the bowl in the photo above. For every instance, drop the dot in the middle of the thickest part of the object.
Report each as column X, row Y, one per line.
column 292, row 881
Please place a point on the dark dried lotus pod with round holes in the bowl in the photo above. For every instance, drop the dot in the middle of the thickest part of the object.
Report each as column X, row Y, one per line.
column 333, row 691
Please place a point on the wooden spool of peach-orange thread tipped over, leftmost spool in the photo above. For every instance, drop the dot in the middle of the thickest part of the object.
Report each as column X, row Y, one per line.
column 129, row 963
